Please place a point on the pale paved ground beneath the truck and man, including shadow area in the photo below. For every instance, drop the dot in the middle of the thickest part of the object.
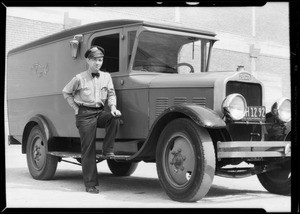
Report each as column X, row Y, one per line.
column 141, row 190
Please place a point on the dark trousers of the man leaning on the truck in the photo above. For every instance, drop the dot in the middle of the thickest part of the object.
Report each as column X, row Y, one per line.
column 87, row 122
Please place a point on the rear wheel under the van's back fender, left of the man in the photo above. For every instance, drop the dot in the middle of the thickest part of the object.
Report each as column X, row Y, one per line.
column 41, row 165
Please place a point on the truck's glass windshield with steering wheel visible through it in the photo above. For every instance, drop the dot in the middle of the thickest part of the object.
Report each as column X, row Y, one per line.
column 167, row 53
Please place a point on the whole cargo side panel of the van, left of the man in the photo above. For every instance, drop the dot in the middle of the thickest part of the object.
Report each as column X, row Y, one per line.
column 35, row 79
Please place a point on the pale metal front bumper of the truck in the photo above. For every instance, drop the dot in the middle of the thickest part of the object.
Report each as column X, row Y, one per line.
column 253, row 149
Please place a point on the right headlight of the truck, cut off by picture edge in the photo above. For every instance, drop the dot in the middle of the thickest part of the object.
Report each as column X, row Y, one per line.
column 281, row 109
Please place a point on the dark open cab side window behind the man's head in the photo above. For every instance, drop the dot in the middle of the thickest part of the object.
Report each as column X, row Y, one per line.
column 111, row 45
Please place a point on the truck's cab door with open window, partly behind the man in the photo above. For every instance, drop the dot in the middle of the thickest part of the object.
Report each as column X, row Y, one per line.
column 118, row 46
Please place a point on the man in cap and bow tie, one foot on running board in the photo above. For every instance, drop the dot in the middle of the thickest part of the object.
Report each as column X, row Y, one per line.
column 87, row 93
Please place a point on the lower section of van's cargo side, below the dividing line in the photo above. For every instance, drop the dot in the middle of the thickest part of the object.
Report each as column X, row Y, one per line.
column 54, row 108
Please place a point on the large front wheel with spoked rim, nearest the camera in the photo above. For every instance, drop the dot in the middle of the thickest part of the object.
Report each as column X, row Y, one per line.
column 185, row 160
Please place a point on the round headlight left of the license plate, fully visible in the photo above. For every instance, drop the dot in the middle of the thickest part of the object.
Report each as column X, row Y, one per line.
column 234, row 106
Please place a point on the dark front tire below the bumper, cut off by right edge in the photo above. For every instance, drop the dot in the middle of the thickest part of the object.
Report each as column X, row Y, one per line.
column 278, row 181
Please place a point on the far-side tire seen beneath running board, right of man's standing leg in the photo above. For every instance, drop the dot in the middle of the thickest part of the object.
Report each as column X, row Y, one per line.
column 122, row 168
